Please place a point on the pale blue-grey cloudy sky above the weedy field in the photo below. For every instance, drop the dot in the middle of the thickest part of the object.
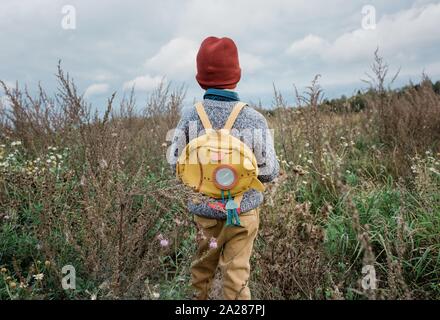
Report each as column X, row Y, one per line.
column 118, row 44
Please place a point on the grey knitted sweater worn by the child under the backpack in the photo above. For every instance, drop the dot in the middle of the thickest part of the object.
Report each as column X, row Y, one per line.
column 250, row 126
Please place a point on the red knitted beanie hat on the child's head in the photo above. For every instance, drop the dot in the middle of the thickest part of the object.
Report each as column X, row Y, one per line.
column 217, row 64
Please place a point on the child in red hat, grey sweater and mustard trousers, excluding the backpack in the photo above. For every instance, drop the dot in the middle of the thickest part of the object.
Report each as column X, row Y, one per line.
column 230, row 248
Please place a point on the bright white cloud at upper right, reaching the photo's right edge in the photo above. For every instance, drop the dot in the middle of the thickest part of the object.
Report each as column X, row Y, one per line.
column 400, row 33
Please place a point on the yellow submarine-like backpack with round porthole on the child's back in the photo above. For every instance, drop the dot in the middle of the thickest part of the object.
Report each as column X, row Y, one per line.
column 219, row 165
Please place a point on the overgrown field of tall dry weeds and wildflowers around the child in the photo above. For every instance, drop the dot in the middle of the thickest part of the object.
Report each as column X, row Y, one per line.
column 358, row 195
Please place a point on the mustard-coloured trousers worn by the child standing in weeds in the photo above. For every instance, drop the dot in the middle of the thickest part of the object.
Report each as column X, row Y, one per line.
column 230, row 248
